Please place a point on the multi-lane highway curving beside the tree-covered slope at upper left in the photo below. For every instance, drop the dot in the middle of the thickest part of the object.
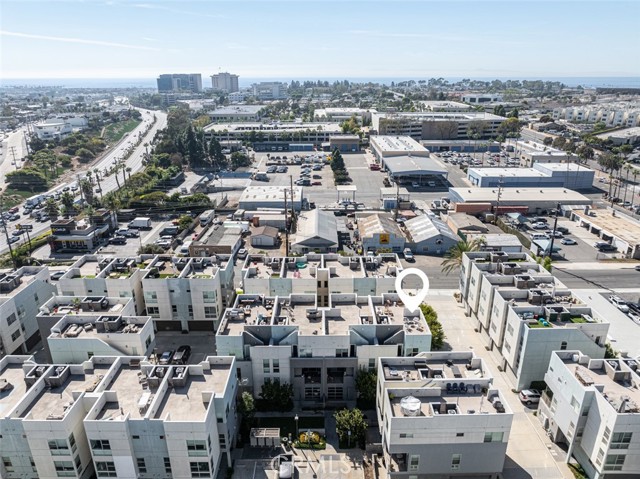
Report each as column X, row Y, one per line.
column 107, row 161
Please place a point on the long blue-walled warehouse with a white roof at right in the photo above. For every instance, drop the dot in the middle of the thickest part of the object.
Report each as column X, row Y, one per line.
column 557, row 175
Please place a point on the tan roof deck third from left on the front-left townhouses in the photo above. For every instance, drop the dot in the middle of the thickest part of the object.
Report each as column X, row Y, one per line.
column 134, row 395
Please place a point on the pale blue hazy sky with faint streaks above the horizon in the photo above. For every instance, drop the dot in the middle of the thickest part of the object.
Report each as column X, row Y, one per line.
column 300, row 38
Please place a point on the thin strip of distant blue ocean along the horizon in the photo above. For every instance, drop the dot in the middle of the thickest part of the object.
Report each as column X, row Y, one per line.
column 615, row 82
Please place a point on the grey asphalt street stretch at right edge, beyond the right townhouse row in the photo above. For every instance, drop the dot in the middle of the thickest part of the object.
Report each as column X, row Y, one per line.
column 598, row 278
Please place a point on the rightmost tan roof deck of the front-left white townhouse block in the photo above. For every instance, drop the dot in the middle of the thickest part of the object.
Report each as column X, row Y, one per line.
column 187, row 403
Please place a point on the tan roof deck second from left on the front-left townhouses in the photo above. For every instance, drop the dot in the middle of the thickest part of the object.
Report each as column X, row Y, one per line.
column 53, row 403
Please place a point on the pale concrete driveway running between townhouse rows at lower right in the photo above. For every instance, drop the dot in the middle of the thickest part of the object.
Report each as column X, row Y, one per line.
column 530, row 453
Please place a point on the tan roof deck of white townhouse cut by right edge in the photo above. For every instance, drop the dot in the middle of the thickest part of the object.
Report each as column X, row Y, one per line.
column 619, row 380
